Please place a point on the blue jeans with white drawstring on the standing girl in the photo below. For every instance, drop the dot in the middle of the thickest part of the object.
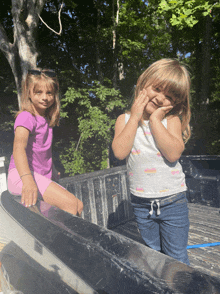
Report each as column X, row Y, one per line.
column 164, row 226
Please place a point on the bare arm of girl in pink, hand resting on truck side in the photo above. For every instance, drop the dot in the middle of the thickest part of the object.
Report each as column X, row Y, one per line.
column 29, row 189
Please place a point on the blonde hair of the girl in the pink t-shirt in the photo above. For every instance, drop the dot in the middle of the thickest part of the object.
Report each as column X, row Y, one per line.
column 52, row 84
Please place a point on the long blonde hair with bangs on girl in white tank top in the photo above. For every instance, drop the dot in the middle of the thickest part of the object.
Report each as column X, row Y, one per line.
column 172, row 77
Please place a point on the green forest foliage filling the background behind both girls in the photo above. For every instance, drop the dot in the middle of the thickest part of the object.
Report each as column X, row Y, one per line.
column 146, row 31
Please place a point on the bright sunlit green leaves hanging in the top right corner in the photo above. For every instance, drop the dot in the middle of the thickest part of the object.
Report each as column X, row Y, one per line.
column 186, row 13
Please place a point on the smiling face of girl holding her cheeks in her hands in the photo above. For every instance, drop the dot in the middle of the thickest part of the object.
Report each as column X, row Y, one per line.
column 157, row 98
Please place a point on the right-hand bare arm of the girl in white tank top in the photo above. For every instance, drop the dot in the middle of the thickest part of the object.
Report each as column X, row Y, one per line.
column 169, row 141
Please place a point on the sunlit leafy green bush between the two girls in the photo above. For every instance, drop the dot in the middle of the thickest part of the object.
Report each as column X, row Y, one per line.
column 96, row 109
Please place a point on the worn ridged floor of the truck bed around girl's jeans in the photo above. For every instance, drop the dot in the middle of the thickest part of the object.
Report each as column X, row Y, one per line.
column 204, row 229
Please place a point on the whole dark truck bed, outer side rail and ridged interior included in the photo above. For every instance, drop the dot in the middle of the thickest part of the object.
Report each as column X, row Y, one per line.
column 96, row 253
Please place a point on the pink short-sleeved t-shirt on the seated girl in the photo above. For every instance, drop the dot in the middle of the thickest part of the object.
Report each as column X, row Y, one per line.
column 39, row 151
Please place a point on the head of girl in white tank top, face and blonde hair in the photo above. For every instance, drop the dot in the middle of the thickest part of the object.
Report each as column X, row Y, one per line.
column 170, row 78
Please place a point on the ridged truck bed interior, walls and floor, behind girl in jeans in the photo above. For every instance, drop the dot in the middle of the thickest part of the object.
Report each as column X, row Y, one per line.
column 106, row 201
